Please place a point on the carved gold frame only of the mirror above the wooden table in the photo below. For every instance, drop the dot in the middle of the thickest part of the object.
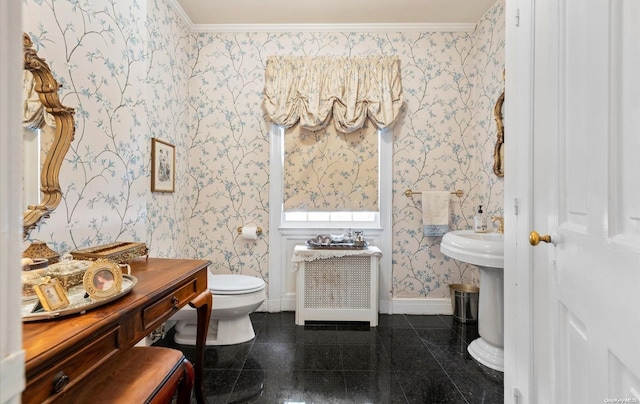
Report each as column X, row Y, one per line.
column 47, row 88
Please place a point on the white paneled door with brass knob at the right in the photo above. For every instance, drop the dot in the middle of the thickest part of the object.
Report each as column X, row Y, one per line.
column 586, row 196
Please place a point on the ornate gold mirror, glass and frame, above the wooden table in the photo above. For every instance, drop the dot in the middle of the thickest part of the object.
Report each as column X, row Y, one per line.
column 48, row 132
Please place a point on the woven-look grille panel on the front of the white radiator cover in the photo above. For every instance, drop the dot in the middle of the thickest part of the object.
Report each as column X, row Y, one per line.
column 338, row 283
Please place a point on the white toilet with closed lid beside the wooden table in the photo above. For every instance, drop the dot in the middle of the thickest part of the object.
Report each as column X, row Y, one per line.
column 234, row 298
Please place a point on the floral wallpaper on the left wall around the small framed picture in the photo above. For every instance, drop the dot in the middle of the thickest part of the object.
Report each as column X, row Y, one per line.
column 121, row 66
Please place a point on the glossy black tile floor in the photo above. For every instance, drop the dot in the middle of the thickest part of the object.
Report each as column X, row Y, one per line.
column 406, row 359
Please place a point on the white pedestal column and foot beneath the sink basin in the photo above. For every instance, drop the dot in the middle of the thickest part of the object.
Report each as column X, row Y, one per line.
column 489, row 348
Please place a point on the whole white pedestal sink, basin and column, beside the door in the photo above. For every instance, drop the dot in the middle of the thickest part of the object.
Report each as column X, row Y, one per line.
column 486, row 251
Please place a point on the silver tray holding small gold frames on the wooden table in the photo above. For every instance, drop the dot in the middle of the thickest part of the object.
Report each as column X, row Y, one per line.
column 78, row 303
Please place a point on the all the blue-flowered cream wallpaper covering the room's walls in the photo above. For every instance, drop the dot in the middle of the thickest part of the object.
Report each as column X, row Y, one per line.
column 133, row 71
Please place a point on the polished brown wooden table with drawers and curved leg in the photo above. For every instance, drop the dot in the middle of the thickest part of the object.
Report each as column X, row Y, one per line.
column 61, row 353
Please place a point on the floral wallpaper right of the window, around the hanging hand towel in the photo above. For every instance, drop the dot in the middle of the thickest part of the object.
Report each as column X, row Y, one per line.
column 446, row 142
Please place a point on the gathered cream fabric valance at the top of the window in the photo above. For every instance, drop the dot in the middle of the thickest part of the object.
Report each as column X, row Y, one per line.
column 311, row 91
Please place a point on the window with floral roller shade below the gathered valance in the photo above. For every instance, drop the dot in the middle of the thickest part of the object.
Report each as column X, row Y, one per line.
column 358, row 204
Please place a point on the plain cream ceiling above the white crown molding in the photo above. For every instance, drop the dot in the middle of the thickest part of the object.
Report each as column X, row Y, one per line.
column 361, row 12
